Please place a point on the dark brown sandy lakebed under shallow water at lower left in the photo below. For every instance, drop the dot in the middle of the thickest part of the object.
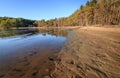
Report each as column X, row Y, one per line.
column 32, row 65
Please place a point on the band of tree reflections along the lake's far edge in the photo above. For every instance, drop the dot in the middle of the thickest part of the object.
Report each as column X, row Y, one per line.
column 32, row 31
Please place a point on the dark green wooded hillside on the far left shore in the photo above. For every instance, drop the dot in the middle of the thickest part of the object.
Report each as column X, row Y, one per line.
column 9, row 22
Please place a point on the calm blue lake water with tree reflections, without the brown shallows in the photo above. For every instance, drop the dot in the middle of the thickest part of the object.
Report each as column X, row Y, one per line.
column 17, row 42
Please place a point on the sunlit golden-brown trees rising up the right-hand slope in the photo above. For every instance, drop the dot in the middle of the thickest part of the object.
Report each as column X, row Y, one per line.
column 103, row 12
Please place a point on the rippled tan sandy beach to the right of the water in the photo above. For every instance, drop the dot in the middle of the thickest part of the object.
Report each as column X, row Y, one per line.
column 90, row 52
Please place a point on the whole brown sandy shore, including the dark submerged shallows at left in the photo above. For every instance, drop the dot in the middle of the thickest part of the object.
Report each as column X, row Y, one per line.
column 88, row 52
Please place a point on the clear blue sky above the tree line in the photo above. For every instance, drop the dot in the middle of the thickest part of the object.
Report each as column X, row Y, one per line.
column 39, row 9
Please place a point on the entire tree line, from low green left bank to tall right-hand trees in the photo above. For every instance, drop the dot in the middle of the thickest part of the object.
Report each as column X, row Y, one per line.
column 94, row 12
